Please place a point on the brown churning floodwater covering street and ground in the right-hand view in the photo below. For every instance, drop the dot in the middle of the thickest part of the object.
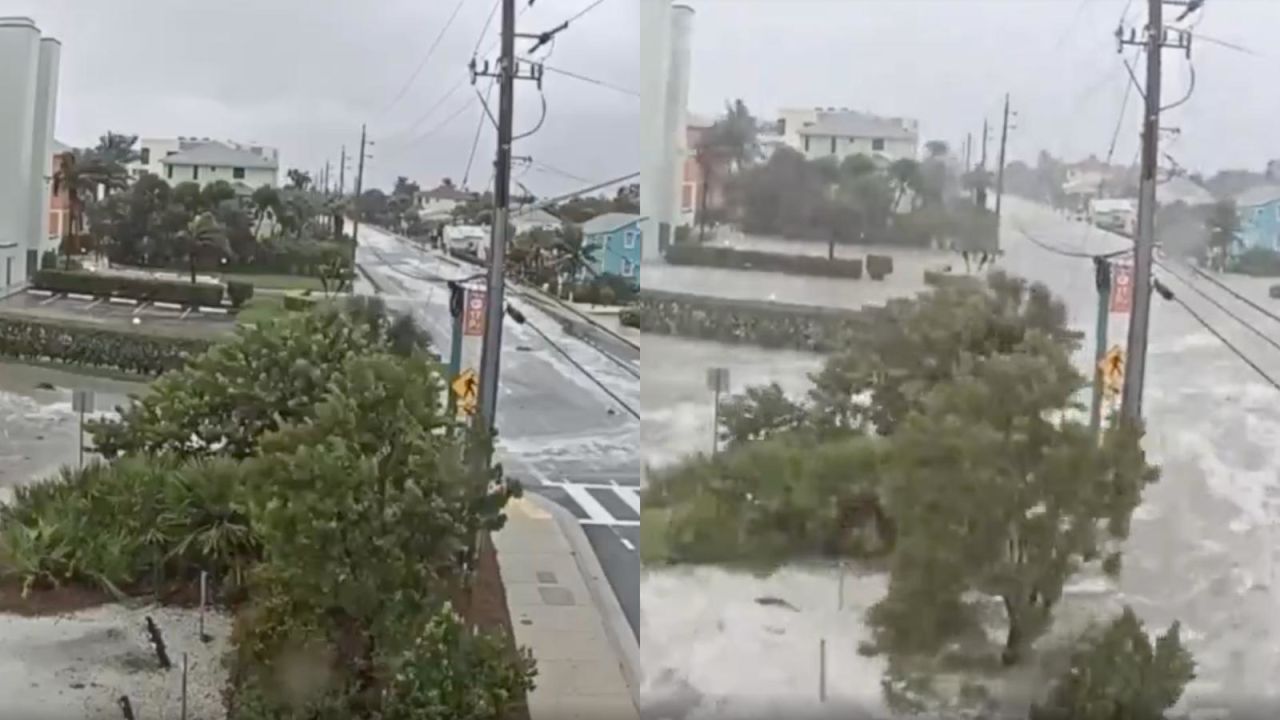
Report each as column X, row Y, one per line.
column 1203, row 548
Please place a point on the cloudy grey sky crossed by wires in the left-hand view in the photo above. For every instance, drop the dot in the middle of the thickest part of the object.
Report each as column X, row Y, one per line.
column 304, row 75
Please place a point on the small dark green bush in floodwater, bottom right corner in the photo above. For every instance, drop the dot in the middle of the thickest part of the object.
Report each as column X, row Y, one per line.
column 1117, row 672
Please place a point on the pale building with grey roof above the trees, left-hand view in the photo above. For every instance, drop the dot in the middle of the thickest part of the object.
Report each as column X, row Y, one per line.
column 204, row 161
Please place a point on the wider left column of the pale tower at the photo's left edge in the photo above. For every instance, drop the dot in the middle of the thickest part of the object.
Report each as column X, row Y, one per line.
column 20, row 57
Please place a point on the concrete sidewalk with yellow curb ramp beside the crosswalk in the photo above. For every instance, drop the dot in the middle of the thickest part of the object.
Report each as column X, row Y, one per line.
column 564, row 612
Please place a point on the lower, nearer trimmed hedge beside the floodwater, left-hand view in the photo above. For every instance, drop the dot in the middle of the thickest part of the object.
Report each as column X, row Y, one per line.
column 28, row 339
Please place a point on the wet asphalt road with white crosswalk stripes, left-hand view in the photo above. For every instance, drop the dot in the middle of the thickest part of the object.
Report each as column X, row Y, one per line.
column 560, row 432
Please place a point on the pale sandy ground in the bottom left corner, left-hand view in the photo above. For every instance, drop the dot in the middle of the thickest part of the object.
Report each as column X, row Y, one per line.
column 77, row 667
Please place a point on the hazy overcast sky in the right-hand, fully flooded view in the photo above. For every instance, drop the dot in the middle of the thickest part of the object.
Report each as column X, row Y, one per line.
column 950, row 62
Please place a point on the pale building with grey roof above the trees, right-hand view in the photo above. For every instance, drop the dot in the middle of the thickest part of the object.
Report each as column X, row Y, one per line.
column 840, row 133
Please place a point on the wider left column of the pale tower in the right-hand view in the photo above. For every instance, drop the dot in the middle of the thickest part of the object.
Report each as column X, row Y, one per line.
column 655, row 57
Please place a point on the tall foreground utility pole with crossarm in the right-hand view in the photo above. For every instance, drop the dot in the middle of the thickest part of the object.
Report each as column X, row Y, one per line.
column 1155, row 39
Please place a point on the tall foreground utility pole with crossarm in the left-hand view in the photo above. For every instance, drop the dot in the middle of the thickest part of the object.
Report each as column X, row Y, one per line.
column 508, row 72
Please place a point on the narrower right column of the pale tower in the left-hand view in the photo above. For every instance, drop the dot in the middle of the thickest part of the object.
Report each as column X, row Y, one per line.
column 42, row 144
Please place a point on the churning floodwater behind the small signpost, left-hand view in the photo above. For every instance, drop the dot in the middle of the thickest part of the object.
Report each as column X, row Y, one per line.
column 39, row 431
